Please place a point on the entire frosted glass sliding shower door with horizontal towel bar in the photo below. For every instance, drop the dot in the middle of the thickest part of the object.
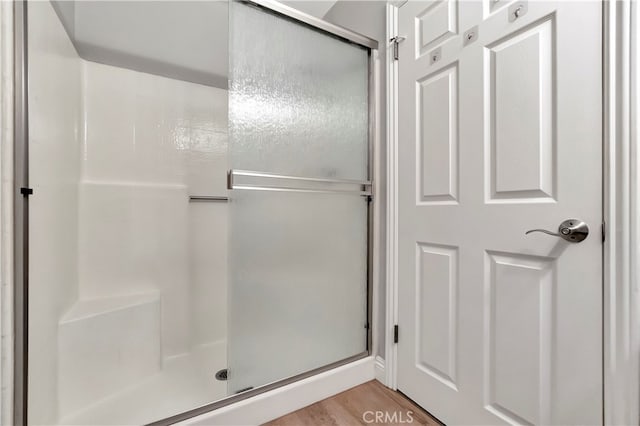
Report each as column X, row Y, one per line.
column 299, row 154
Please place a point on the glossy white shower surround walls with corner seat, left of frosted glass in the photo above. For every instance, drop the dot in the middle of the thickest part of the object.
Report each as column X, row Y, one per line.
column 114, row 156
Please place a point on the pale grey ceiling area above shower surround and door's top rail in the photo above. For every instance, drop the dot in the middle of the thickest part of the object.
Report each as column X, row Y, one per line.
column 187, row 40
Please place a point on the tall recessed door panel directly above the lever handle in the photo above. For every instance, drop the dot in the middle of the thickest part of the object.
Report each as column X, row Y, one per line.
column 520, row 116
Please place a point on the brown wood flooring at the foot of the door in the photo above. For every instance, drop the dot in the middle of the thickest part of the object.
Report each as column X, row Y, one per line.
column 368, row 404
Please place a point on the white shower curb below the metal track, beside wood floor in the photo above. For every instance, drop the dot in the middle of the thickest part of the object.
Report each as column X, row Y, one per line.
column 278, row 402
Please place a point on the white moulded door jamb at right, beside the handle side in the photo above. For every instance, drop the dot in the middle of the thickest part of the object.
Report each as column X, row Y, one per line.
column 621, row 212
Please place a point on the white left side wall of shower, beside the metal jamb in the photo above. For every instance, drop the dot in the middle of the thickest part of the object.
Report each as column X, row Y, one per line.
column 55, row 123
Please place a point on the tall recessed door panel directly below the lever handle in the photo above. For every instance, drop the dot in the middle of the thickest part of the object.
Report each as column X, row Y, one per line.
column 517, row 340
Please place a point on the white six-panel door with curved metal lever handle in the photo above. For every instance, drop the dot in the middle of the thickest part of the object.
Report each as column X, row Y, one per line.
column 500, row 130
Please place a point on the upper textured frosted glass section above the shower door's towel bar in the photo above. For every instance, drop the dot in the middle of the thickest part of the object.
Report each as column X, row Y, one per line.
column 298, row 98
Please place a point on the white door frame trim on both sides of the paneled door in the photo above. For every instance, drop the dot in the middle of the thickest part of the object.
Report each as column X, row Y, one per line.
column 621, row 209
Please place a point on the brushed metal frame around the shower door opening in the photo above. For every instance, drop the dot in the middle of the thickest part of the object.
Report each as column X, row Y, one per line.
column 22, row 192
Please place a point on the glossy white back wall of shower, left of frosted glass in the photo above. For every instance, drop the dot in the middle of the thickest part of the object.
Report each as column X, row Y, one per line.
column 149, row 143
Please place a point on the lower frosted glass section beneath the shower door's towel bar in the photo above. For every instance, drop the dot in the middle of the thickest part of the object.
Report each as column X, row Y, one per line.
column 298, row 286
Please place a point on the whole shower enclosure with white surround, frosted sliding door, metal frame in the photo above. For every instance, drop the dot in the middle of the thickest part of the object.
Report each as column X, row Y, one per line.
column 199, row 229
